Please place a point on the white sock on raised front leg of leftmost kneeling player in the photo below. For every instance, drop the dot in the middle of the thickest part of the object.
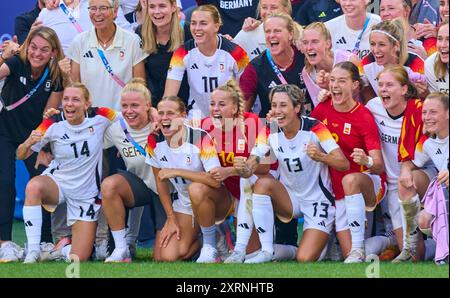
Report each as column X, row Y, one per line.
column 32, row 218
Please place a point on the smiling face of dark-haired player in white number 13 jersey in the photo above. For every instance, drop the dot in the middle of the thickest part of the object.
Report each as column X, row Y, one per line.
column 283, row 110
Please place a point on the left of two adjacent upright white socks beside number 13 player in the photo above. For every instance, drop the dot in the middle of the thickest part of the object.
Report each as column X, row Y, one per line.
column 245, row 223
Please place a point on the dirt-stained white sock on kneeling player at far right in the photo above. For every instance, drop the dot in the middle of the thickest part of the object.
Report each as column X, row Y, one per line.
column 409, row 210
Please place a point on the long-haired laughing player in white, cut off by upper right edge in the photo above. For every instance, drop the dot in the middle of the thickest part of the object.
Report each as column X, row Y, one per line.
column 436, row 66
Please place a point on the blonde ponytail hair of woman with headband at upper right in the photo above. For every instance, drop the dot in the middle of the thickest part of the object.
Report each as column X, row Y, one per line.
column 395, row 29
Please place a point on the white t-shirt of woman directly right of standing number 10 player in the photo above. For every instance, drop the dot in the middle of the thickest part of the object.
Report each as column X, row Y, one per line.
column 253, row 42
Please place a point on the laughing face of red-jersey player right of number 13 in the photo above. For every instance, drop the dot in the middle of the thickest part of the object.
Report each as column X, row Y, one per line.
column 342, row 87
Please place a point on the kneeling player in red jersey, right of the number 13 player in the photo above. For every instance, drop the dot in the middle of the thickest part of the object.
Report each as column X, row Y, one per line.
column 363, row 186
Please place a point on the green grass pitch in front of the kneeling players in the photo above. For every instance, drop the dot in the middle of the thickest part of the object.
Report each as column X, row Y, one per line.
column 143, row 267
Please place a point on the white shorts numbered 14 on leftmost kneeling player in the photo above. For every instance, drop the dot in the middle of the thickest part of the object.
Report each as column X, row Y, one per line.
column 77, row 209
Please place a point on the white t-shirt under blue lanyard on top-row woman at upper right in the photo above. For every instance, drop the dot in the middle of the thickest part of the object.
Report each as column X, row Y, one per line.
column 345, row 38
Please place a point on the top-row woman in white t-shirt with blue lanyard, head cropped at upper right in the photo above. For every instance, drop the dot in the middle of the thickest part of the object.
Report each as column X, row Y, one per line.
column 350, row 31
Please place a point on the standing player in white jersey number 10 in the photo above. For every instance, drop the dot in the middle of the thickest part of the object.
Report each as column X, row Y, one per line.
column 209, row 60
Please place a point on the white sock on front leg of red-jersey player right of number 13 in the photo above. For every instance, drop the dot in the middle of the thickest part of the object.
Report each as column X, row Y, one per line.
column 356, row 215
